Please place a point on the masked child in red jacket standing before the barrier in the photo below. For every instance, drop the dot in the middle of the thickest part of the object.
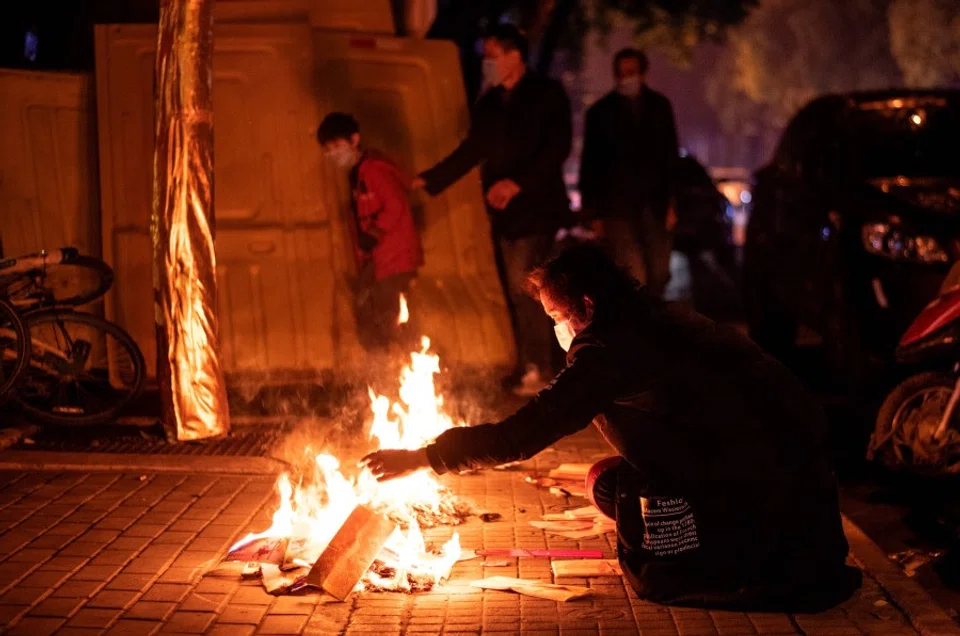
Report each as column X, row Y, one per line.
column 385, row 240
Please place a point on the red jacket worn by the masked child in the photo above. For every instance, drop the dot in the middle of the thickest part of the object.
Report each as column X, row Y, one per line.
column 381, row 209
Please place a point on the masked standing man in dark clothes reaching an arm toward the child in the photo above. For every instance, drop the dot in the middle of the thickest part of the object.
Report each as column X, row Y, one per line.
column 520, row 135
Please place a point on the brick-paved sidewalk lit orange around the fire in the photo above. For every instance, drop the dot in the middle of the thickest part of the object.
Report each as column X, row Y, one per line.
column 94, row 550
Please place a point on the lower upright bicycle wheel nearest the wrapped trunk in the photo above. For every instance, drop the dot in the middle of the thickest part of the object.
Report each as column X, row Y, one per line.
column 83, row 369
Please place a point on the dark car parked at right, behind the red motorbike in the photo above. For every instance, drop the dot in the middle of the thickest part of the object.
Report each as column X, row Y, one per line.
column 855, row 223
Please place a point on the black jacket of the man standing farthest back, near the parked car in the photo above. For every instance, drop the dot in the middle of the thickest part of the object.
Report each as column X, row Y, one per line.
column 629, row 155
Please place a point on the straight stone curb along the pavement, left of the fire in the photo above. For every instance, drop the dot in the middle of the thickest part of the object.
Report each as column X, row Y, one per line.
column 139, row 463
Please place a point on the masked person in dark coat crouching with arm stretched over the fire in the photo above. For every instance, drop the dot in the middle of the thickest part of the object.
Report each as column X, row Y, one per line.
column 721, row 488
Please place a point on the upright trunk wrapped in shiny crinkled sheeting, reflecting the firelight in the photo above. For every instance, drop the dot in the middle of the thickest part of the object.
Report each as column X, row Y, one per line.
column 192, row 392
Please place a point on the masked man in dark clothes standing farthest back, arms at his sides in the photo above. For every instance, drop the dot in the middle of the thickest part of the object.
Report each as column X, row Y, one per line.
column 627, row 171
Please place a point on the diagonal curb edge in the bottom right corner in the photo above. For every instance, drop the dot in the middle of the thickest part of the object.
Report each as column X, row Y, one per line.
column 924, row 614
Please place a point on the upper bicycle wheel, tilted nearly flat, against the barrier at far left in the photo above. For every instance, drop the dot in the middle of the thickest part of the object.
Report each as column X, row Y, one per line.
column 72, row 283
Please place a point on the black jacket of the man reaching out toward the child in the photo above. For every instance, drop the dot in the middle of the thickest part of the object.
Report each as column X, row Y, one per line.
column 525, row 136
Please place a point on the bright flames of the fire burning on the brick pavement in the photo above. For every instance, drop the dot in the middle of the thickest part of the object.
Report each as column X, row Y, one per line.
column 314, row 509
